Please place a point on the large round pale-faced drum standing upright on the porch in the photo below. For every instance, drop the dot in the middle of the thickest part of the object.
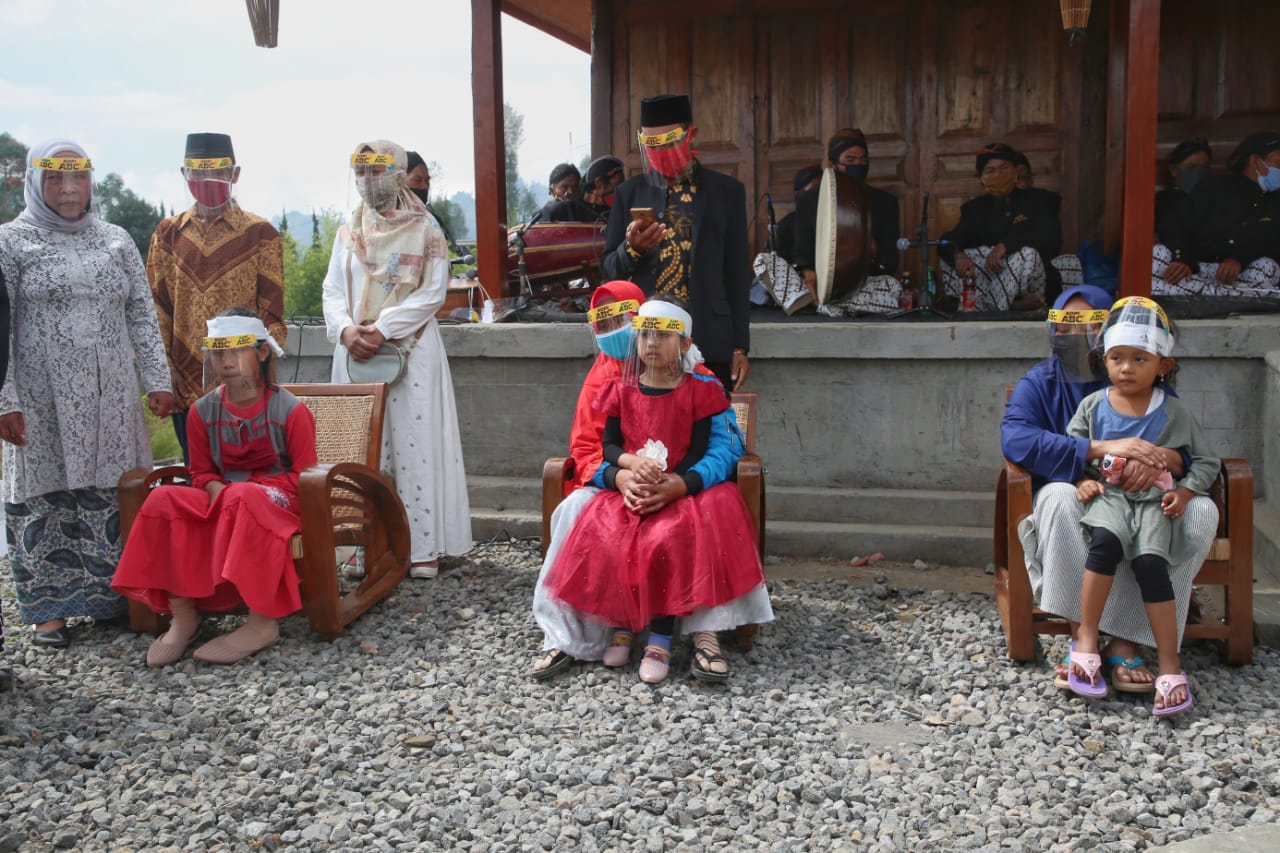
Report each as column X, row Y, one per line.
column 843, row 253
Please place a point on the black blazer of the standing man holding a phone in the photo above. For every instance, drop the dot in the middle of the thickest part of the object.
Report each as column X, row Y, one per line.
column 720, row 267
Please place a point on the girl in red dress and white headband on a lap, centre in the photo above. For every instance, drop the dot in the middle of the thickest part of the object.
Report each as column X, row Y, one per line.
column 664, row 542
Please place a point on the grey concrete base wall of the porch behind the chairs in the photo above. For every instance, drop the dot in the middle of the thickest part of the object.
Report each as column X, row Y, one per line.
column 843, row 405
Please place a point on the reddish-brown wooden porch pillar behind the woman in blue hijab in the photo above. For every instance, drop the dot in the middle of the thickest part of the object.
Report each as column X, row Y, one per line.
column 1142, row 89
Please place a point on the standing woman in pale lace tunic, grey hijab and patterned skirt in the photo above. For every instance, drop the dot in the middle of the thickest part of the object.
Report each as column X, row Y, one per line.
column 71, row 414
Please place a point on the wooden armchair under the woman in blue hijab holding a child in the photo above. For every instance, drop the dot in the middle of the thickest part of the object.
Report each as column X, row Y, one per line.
column 1229, row 565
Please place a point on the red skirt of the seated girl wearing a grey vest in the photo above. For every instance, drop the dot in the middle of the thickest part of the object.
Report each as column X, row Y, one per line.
column 225, row 554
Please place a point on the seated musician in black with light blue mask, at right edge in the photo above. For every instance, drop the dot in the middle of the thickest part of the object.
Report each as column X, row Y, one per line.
column 1233, row 229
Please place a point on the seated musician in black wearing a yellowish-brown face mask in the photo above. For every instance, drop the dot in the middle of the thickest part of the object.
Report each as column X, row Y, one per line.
column 1005, row 240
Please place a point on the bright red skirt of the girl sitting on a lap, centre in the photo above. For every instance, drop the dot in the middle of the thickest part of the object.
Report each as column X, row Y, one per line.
column 624, row 571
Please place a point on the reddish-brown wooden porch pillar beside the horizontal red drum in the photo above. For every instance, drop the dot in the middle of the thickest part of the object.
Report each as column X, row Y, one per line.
column 491, row 156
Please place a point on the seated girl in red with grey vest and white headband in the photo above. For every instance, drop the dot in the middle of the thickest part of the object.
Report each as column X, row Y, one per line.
column 225, row 540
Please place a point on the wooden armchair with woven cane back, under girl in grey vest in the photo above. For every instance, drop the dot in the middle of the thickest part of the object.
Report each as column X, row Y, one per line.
column 345, row 501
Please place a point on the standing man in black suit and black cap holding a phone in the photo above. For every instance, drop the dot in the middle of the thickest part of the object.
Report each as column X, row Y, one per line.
column 694, row 248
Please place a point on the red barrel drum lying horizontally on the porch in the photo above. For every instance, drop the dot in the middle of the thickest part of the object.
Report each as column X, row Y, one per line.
column 557, row 254
